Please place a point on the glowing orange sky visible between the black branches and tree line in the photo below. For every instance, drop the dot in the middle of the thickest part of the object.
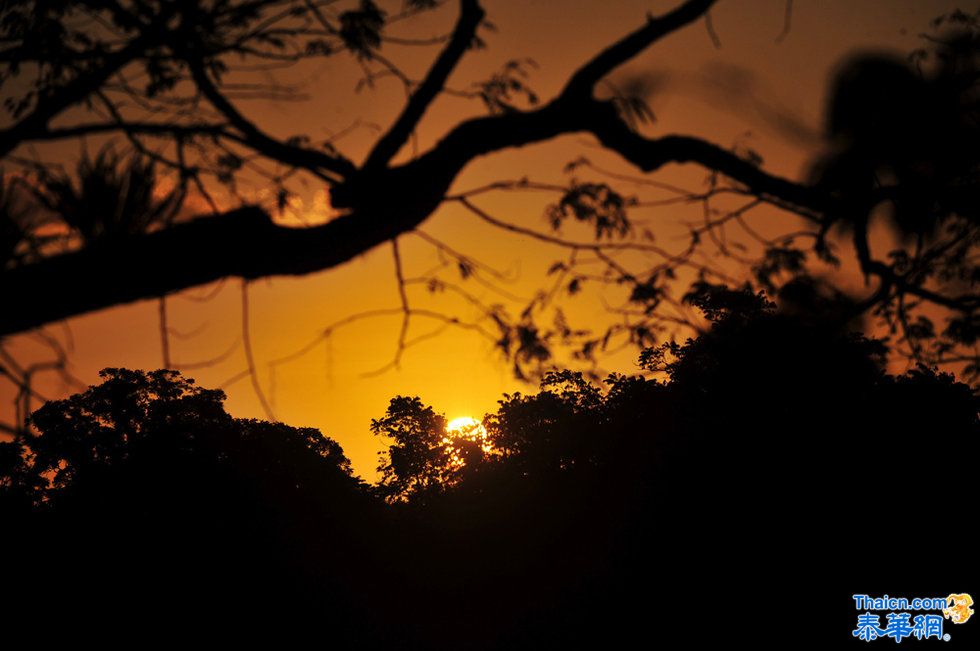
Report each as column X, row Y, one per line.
column 458, row 372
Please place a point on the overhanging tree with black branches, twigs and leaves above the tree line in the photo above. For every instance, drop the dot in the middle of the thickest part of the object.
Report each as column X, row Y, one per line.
column 166, row 79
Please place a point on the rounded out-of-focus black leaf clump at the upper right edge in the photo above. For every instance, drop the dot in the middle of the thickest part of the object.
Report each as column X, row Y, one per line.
column 906, row 137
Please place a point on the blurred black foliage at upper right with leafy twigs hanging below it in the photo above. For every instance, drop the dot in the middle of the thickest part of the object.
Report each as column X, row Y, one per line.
column 904, row 137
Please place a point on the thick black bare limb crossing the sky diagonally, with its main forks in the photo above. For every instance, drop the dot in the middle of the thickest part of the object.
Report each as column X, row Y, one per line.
column 245, row 243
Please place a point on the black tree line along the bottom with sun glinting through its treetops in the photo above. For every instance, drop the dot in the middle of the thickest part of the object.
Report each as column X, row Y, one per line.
column 775, row 470
